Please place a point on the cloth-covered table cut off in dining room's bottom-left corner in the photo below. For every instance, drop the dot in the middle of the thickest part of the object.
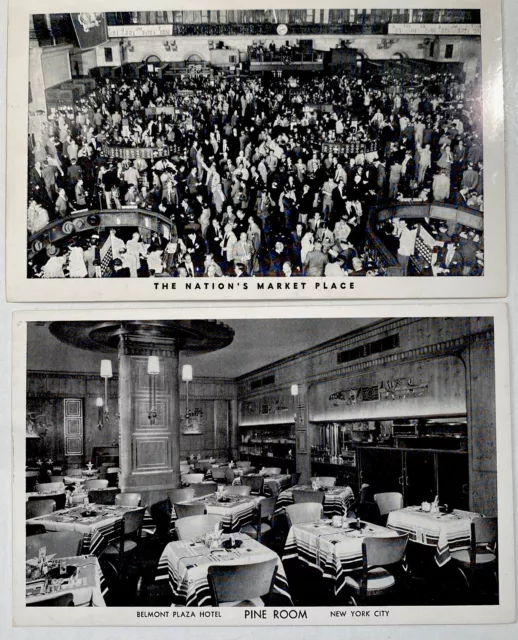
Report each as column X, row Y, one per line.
column 86, row 584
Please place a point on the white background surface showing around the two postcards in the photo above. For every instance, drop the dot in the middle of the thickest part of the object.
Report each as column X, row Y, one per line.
column 497, row 632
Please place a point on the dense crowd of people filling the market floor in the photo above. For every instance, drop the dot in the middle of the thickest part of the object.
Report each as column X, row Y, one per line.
column 245, row 183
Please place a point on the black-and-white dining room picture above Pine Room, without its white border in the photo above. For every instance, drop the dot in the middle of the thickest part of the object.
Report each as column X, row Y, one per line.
column 253, row 462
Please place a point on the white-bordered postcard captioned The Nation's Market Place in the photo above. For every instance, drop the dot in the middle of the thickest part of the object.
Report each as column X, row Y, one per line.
column 256, row 153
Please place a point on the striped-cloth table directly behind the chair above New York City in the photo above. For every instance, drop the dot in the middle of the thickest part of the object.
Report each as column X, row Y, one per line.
column 334, row 552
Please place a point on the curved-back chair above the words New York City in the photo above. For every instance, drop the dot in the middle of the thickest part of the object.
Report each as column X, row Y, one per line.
column 374, row 580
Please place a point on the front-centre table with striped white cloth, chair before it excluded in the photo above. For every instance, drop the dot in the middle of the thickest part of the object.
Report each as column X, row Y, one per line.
column 184, row 565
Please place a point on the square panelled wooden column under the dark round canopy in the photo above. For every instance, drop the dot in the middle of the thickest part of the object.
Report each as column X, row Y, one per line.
column 149, row 448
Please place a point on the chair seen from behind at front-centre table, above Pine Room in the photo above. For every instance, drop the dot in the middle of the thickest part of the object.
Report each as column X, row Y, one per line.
column 241, row 585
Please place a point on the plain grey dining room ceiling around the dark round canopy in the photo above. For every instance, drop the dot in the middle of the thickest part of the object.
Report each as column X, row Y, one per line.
column 256, row 344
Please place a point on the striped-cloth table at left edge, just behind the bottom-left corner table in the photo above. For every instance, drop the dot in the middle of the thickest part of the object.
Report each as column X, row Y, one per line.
column 99, row 529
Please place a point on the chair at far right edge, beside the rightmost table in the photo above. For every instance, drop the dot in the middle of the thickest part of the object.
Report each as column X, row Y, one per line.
column 481, row 554
